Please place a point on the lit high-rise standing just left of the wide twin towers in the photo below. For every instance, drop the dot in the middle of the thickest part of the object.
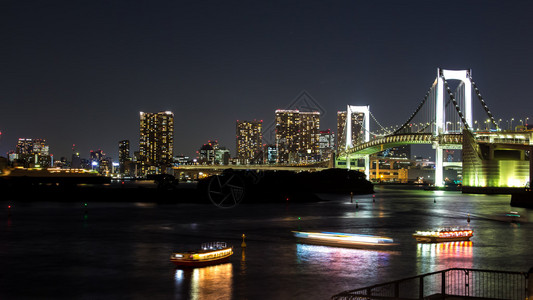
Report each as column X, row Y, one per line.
column 249, row 141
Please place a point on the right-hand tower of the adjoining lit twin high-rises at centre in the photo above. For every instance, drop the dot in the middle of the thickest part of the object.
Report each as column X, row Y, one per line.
column 309, row 136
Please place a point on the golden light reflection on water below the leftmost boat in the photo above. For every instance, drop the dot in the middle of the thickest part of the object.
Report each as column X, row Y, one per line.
column 212, row 282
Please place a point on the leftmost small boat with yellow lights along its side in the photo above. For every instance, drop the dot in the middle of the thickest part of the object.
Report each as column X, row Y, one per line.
column 210, row 254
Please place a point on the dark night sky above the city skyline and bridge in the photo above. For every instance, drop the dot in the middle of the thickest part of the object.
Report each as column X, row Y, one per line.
column 79, row 72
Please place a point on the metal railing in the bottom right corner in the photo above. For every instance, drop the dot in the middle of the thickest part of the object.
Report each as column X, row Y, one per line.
column 457, row 282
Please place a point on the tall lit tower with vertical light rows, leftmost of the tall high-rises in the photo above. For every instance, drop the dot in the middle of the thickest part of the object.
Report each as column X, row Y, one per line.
column 156, row 143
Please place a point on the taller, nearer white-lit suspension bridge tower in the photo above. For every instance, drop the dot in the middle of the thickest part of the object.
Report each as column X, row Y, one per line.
column 440, row 117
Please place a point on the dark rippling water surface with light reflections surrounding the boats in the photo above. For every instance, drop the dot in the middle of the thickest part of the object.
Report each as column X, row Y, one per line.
column 42, row 241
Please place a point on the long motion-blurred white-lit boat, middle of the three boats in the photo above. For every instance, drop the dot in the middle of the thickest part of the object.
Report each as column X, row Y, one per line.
column 348, row 240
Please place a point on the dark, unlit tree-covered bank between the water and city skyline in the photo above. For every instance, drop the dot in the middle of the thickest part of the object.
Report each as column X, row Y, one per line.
column 229, row 188
